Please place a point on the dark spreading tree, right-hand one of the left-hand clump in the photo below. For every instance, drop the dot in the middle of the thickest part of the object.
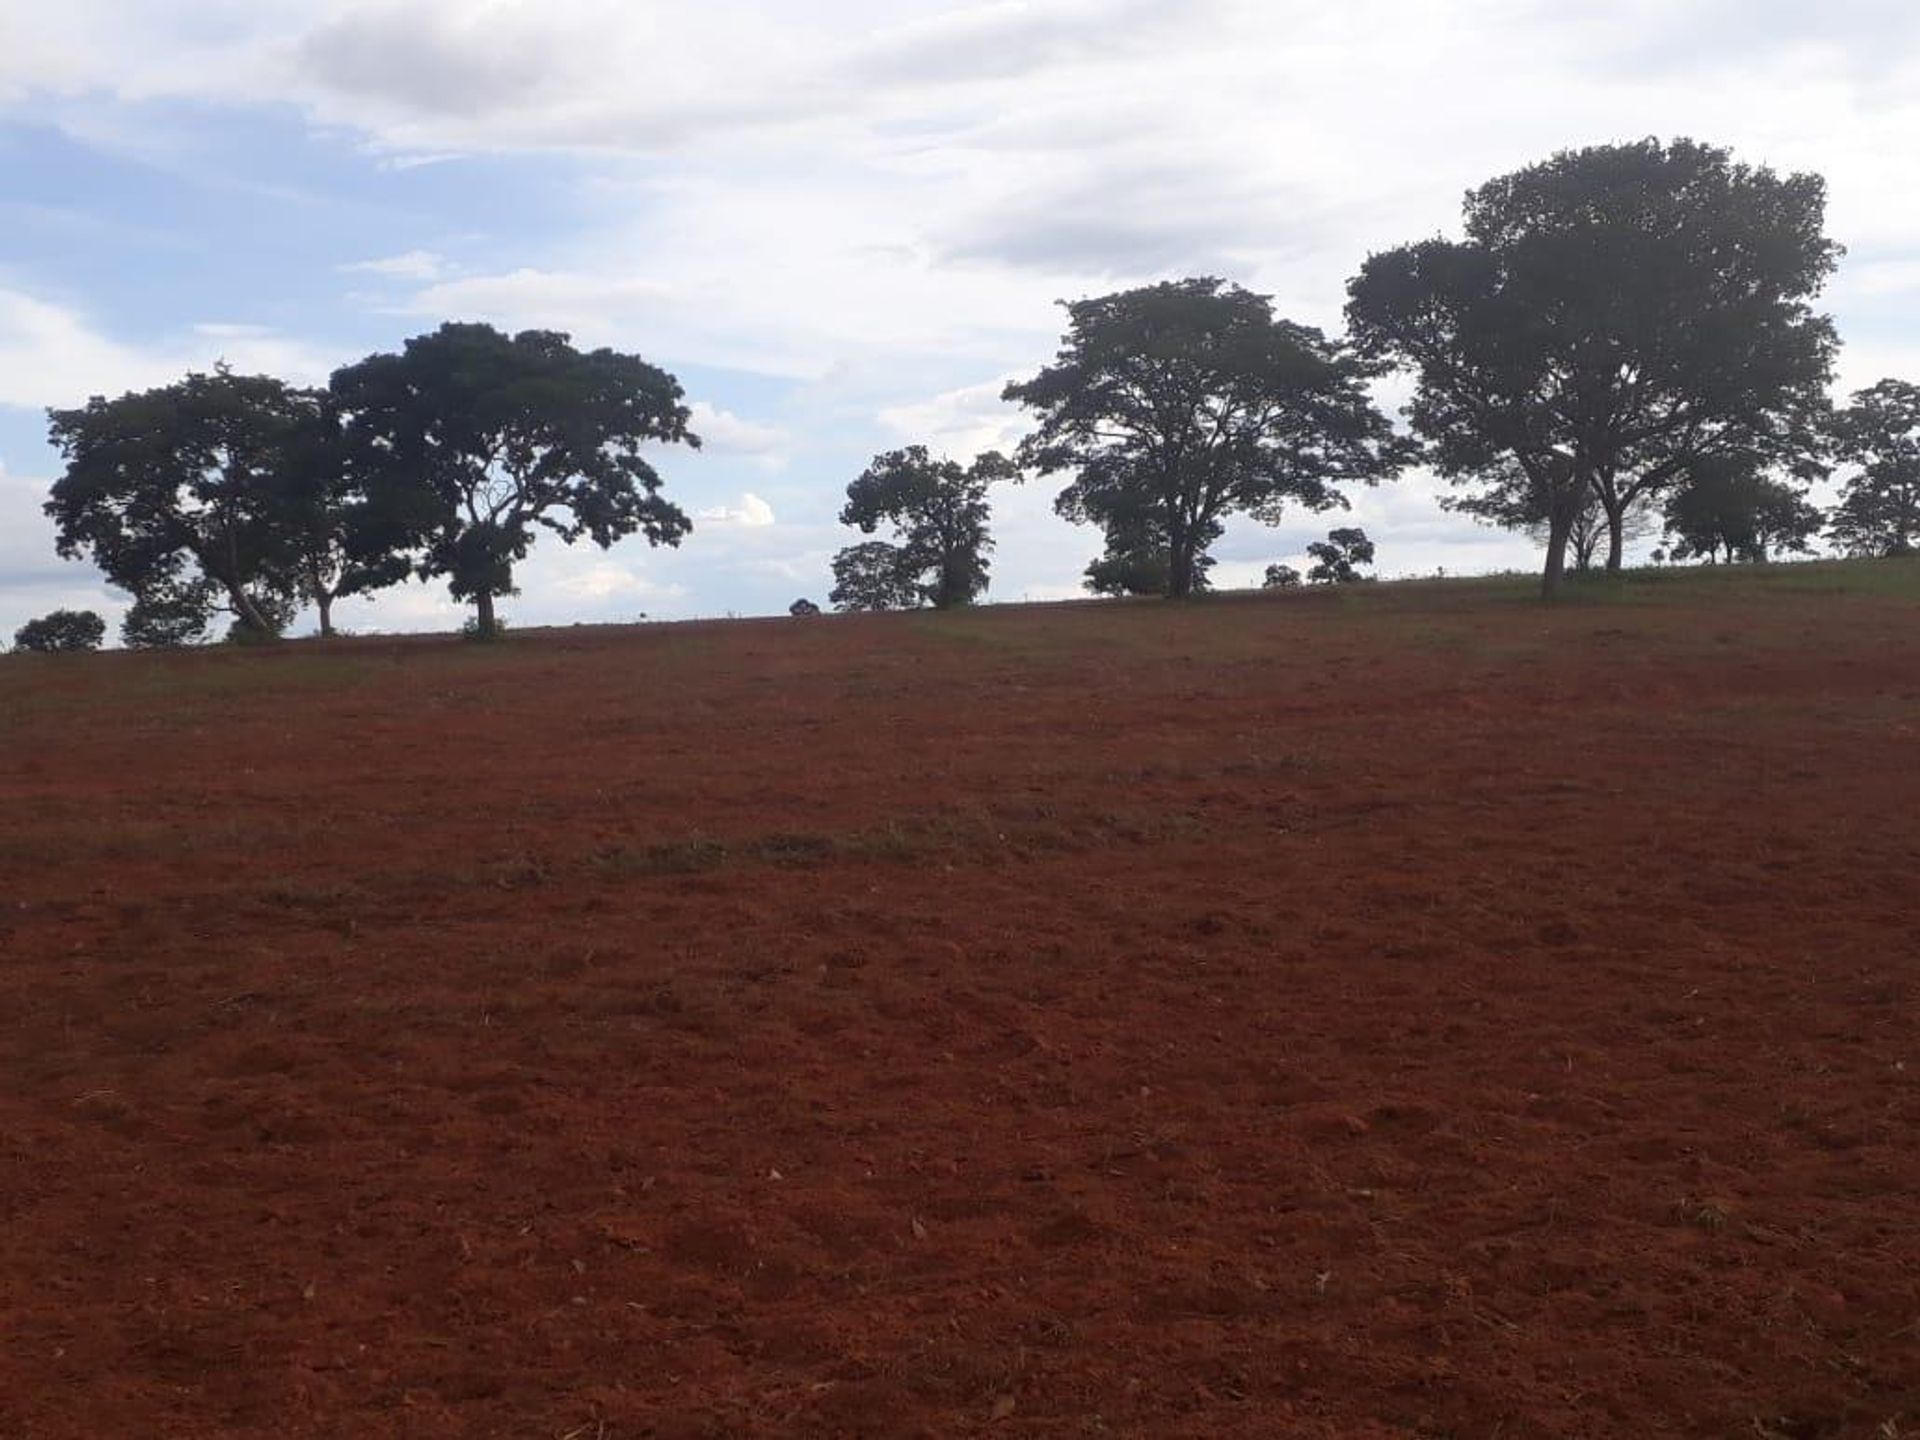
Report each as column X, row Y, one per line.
column 498, row 437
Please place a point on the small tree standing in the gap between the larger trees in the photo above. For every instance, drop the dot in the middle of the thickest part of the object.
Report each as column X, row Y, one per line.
column 938, row 512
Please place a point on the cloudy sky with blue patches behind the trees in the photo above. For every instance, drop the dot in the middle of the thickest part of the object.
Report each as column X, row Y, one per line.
column 844, row 224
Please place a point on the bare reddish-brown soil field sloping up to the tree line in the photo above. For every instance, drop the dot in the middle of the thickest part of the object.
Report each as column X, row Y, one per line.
column 1414, row 1015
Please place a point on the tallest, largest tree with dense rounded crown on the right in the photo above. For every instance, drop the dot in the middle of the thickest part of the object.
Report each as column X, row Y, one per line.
column 1614, row 318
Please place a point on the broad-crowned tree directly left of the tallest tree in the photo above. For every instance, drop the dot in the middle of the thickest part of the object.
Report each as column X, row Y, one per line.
column 1182, row 404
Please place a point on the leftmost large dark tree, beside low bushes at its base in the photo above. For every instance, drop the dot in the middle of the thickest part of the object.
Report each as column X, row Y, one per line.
column 180, row 496
